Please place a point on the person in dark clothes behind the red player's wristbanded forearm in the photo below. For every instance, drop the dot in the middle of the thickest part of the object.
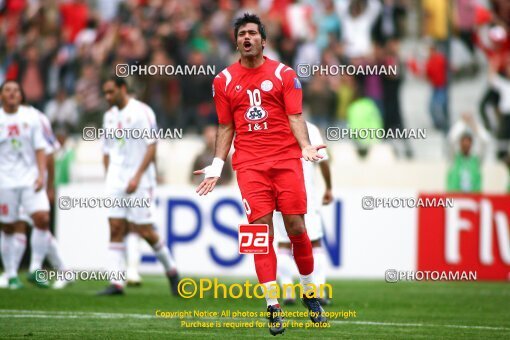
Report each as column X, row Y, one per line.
column 206, row 157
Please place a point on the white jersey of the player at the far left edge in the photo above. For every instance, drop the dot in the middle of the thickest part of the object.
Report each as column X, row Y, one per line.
column 21, row 135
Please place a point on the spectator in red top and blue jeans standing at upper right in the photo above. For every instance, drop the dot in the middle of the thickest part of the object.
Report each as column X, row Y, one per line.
column 436, row 72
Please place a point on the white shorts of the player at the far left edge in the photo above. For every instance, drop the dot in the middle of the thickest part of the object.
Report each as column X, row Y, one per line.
column 17, row 203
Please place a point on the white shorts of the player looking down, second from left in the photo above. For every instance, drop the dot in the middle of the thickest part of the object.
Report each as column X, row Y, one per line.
column 135, row 215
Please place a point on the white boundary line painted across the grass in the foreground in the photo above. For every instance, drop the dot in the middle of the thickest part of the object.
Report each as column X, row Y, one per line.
column 20, row 313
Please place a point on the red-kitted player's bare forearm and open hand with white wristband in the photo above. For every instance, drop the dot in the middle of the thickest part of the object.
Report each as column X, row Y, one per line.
column 212, row 172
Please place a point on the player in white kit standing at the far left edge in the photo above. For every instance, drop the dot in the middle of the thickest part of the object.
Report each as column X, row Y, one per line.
column 22, row 183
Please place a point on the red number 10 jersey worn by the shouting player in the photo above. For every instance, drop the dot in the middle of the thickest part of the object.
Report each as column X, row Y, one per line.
column 257, row 101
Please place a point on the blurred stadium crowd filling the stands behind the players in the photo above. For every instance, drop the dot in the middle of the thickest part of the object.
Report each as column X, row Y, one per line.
column 60, row 51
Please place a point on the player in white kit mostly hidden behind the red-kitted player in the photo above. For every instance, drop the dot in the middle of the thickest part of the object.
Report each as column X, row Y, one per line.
column 286, row 267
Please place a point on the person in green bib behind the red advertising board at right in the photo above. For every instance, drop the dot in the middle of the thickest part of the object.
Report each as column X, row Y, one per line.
column 465, row 172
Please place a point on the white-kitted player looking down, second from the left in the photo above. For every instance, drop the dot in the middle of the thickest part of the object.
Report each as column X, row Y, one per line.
column 131, row 173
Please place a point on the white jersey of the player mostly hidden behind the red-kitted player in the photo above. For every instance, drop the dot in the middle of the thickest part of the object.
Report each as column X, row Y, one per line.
column 313, row 198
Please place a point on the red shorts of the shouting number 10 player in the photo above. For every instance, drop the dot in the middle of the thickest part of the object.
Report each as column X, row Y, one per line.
column 277, row 185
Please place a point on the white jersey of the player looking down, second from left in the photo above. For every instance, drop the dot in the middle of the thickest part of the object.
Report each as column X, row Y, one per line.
column 126, row 154
